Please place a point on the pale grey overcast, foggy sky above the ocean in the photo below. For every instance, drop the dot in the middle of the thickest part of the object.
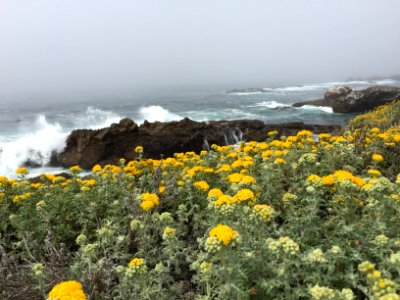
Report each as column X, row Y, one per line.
column 72, row 46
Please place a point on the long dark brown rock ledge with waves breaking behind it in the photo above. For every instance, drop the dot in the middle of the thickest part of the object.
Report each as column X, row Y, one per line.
column 86, row 147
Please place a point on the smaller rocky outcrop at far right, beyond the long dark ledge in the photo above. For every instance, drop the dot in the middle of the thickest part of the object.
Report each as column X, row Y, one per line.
column 344, row 100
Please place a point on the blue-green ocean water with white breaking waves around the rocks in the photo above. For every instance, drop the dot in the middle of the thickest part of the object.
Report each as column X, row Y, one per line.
column 33, row 128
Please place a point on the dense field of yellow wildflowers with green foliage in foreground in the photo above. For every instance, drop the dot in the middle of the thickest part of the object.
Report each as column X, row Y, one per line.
column 299, row 217
